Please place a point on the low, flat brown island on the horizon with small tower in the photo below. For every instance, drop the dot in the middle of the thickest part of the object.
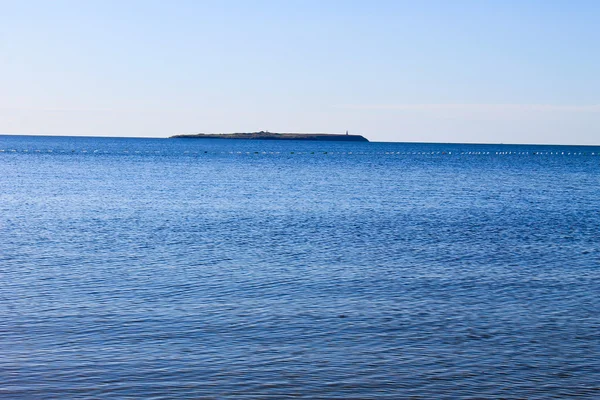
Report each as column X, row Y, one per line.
column 265, row 135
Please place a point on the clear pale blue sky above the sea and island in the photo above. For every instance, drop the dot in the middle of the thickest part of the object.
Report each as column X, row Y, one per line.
column 478, row 71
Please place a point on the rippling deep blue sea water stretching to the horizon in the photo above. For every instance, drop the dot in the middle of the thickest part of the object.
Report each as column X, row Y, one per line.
column 174, row 268
